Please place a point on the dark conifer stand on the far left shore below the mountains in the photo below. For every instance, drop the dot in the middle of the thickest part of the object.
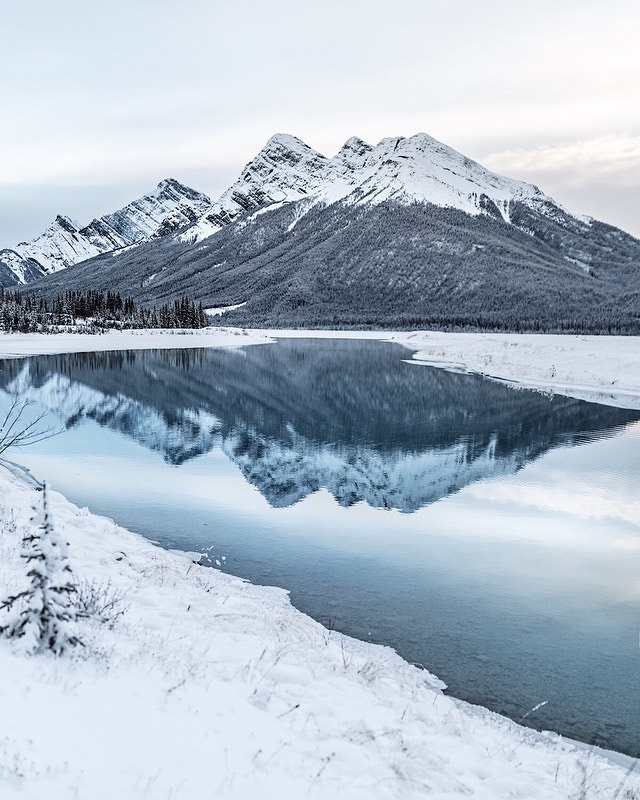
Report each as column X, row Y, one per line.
column 93, row 310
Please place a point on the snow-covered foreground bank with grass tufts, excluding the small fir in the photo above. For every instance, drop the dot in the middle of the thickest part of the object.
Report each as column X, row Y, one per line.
column 208, row 686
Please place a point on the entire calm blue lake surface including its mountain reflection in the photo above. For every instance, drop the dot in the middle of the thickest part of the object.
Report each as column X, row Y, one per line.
column 489, row 534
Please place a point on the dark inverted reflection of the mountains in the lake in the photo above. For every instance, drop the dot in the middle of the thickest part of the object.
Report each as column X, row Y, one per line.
column 346, row 415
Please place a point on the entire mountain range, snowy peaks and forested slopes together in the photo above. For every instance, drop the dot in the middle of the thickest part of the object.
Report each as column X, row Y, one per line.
column 406, row 233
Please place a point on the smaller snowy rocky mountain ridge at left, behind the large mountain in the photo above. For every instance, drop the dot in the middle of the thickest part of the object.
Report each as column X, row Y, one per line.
column 170, row 206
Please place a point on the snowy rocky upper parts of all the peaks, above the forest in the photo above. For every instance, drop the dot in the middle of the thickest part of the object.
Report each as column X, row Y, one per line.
column 411, row 170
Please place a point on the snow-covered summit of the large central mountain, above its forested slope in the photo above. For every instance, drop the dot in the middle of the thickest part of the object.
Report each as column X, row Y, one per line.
column 406, row 170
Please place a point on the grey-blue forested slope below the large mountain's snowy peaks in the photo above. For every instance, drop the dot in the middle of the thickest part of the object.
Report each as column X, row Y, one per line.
column 389, row 266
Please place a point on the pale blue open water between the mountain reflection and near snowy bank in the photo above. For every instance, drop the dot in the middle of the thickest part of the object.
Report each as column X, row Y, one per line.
column 523, row 587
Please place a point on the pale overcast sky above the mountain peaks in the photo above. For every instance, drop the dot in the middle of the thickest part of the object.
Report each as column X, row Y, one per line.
column 101, row 101
